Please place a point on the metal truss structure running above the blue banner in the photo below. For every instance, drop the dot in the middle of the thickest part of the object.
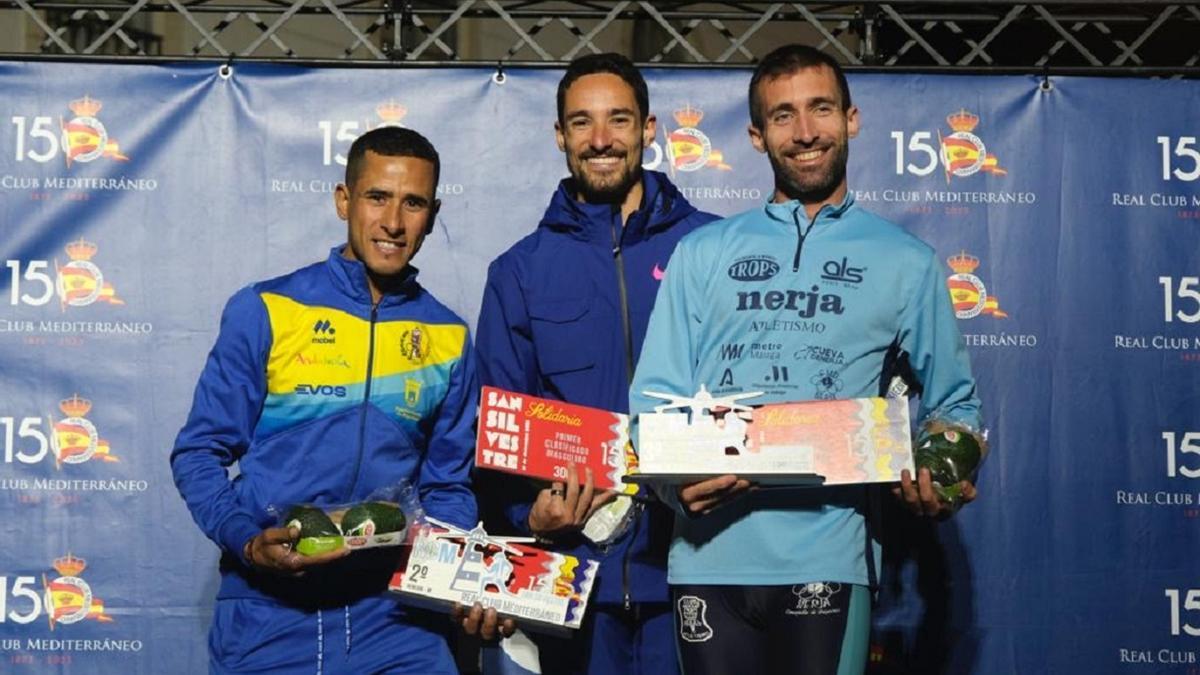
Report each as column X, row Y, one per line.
column 1147, row 38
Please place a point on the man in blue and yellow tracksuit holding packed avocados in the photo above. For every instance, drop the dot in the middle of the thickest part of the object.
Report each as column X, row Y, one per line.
column 326, row 385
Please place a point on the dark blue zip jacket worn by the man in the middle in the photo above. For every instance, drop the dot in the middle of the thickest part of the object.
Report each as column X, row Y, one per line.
column 553, row 326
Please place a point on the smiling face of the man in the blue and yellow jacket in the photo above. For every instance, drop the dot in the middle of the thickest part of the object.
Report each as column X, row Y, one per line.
column 388, row 211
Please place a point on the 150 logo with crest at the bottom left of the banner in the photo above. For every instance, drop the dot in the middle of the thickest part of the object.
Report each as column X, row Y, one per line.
column 64, row 600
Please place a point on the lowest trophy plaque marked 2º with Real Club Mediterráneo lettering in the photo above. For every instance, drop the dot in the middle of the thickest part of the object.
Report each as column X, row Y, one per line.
column 541, row 589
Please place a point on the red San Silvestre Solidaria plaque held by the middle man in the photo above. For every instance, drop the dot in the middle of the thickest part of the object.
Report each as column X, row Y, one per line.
column 538, row 438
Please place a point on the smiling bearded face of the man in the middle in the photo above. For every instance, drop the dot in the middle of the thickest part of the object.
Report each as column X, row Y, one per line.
column 603, row 135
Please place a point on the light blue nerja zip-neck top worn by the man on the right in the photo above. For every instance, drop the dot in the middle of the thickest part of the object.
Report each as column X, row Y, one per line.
column 770, row 301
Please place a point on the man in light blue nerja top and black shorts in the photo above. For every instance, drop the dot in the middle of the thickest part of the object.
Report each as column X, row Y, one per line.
column 808, row 297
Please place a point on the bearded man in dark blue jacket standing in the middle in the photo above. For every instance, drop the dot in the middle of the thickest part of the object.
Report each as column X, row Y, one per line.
column 563, row 318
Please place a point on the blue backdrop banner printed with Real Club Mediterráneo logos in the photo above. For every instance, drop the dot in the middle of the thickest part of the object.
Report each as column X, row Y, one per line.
column 136, row 200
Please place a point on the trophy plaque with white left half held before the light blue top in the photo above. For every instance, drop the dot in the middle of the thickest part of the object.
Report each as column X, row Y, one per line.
column 830, row 443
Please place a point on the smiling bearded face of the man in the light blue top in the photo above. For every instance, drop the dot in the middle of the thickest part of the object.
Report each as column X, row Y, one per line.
column 806, row 134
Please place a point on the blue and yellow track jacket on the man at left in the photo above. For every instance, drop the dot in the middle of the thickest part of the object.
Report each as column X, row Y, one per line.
column 322, row 398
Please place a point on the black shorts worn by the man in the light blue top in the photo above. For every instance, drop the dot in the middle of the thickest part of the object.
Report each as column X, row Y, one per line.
column 819, row 629
